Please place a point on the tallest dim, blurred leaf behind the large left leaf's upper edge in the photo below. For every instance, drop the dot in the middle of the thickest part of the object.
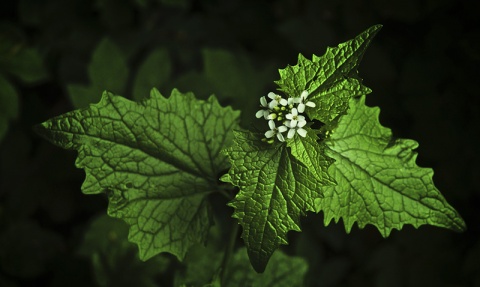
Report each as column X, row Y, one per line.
column 107, row 70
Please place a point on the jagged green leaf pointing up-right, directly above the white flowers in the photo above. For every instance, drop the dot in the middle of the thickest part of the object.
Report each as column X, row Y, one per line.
column 331, row 79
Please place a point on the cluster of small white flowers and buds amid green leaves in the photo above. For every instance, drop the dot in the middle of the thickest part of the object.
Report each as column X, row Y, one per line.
column 286, row 113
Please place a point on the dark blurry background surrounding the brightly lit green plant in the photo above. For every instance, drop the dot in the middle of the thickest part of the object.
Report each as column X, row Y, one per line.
column 422, row 67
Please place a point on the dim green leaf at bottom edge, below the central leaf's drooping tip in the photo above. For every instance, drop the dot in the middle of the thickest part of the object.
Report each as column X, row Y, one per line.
column 283, row 270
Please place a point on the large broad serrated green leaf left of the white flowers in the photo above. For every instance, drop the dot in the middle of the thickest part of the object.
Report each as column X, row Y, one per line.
column 157, row 160
